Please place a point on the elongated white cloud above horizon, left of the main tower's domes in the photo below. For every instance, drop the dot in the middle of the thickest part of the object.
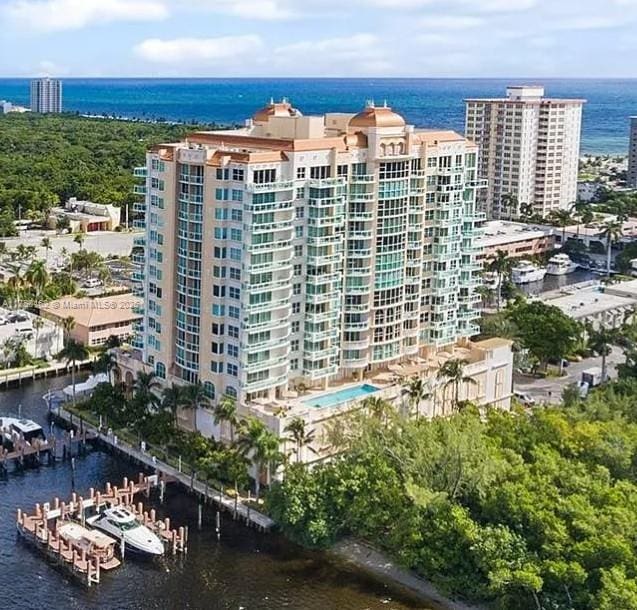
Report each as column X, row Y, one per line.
column 189, row 52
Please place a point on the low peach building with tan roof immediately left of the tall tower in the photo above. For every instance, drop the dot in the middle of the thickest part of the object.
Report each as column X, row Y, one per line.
column 97, row 319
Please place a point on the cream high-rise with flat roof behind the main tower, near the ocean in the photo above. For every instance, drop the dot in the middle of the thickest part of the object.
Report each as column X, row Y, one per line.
column 529, row 151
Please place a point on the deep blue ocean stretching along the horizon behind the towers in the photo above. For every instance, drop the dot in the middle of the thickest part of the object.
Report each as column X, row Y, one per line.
column 423, row 102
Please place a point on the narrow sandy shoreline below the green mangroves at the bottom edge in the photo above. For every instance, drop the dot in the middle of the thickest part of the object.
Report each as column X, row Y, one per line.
column 368, row 558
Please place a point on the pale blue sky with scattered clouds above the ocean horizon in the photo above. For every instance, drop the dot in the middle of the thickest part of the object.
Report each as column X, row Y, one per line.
column 579, row 38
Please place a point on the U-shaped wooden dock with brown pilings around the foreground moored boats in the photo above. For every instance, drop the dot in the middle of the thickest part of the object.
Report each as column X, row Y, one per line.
column 89, row 552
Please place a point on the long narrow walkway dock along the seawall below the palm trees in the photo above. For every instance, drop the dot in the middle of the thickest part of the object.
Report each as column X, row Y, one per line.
column 202, row 490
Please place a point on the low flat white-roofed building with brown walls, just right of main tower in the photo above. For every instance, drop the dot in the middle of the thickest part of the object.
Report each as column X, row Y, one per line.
column 515, row 239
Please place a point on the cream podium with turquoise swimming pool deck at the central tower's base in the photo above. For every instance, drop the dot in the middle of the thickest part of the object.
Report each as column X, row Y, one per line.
column 489, row 363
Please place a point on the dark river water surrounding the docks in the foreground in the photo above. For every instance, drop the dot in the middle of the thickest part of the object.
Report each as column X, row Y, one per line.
column 245, row 570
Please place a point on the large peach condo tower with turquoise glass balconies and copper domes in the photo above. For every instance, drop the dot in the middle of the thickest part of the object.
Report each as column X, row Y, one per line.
column 307, row 249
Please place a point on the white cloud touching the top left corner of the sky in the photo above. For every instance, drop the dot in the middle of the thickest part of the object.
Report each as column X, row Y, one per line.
column 54, row 15
